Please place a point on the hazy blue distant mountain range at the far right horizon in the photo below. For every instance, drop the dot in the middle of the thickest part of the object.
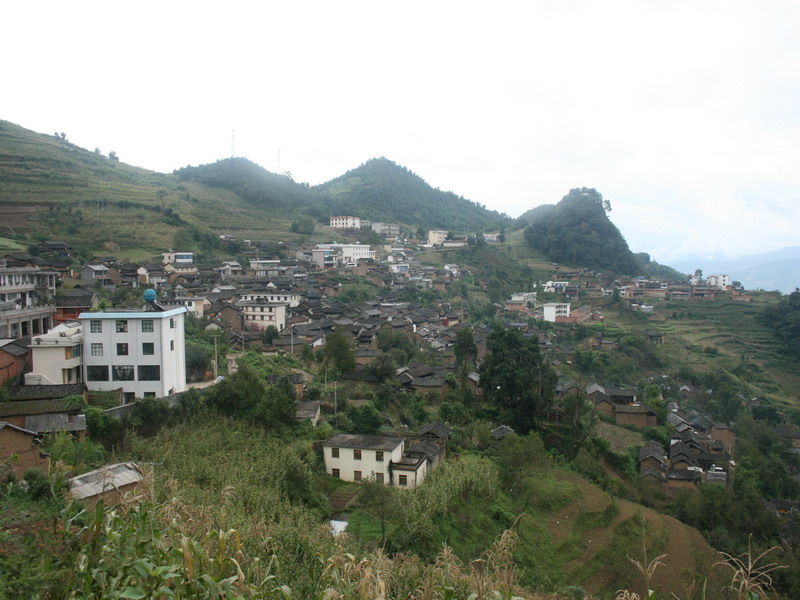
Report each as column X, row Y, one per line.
column 775, row 270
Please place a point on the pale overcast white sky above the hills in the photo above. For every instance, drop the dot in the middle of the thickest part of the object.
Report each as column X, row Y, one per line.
column 684, row 114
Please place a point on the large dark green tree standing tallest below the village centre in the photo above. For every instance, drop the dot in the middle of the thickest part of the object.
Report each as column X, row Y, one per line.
column 517, row 379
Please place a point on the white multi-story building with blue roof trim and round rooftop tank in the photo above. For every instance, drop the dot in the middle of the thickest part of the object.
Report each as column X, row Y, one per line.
column 141, row 352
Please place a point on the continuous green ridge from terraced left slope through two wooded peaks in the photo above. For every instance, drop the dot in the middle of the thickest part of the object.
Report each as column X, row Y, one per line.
column 51, row 187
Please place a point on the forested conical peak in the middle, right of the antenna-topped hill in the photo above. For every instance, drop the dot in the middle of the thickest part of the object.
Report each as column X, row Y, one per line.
column 383, row 190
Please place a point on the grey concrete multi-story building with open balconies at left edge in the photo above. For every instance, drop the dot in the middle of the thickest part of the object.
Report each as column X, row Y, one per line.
column 26, row 301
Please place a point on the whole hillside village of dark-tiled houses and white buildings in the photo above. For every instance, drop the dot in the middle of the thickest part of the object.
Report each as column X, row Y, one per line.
column 58, row 342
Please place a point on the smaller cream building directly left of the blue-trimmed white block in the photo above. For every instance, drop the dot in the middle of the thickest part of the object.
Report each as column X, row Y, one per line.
column 56, row 356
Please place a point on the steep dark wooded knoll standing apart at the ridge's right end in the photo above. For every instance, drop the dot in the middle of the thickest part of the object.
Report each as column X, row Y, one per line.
column 577, row 231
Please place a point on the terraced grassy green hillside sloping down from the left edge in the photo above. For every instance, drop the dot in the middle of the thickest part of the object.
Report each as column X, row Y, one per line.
column 51, row 187
